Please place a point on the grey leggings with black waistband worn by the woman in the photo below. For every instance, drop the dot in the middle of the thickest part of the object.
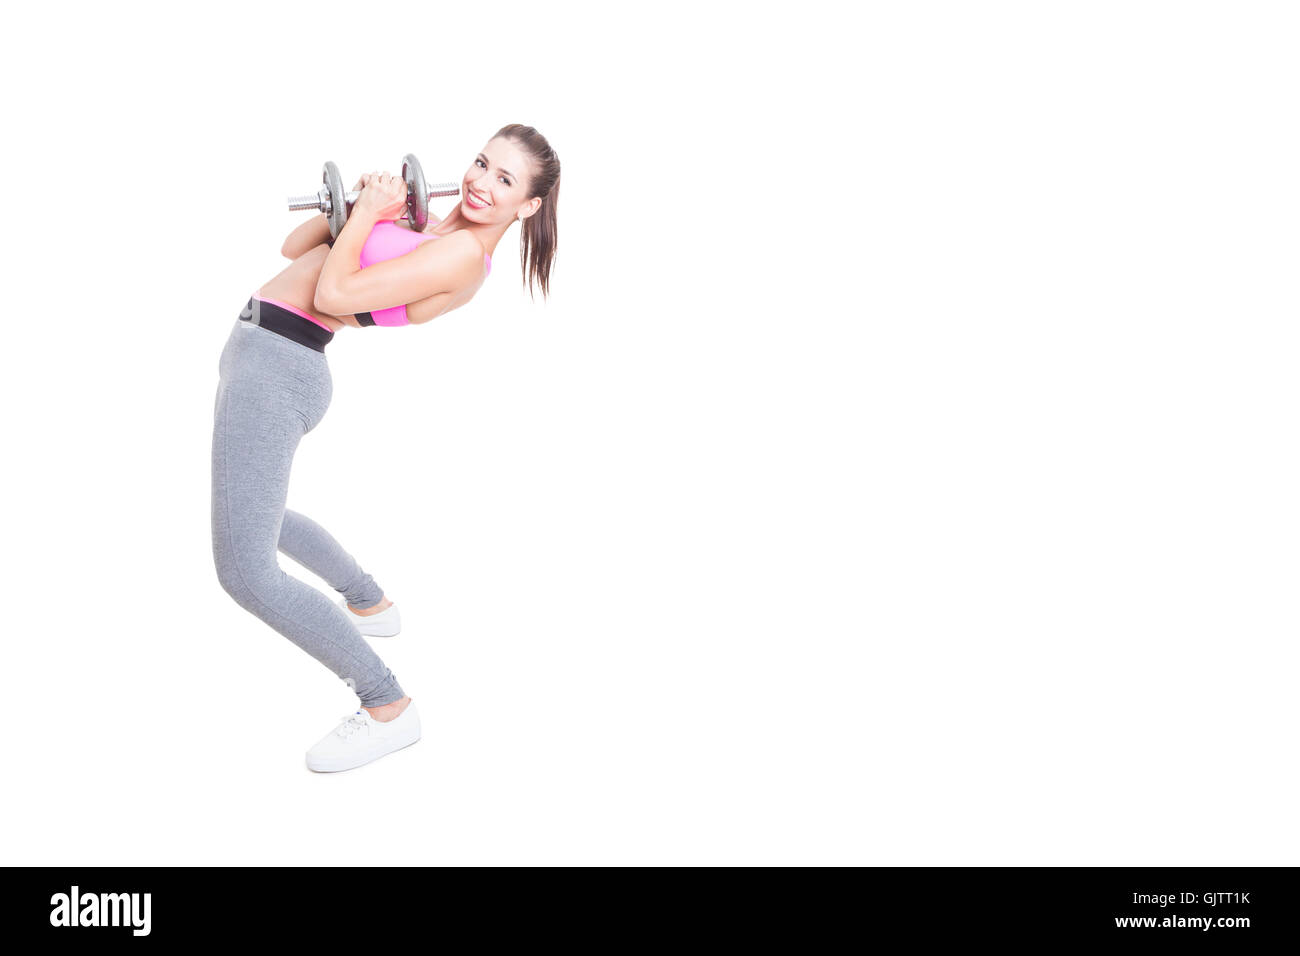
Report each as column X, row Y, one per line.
column 274, row 392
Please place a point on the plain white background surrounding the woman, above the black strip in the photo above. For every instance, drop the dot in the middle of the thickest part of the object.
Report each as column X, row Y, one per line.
column 903, row 471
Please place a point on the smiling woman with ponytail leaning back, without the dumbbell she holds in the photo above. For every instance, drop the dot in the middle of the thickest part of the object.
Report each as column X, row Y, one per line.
column 276, row 387
